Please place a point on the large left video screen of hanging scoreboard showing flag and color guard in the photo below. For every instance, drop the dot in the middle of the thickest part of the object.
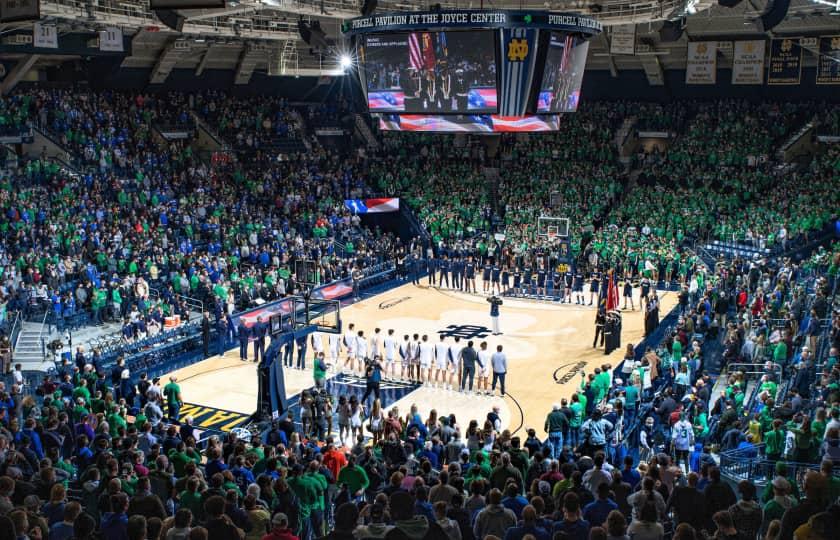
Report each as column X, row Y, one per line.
column 431, row 72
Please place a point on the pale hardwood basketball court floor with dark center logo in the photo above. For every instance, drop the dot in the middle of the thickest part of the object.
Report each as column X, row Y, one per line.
column 548, row 346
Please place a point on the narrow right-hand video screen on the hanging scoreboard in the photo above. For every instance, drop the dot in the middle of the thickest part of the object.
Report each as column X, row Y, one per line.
column 563, row 74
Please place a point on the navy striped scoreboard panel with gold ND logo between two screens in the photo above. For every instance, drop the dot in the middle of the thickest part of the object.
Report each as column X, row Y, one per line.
column 518, row 56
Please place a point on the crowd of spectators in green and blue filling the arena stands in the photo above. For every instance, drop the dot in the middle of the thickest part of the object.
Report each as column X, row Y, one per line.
column 99, row 455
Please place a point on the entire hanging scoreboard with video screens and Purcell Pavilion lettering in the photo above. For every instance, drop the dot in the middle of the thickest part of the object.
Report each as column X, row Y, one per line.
column 471, row 70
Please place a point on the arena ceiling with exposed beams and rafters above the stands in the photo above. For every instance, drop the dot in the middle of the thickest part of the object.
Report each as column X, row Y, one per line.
column 262, row 35
